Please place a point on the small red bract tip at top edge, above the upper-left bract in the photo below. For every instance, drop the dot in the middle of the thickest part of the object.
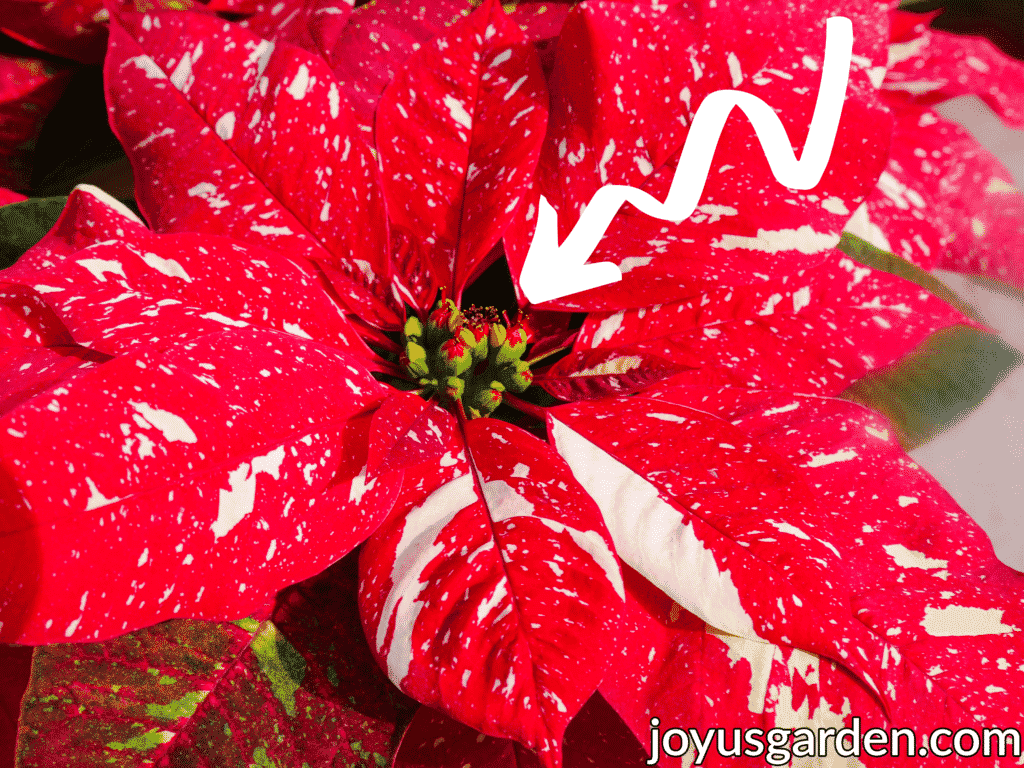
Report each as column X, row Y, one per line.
column 314, row 25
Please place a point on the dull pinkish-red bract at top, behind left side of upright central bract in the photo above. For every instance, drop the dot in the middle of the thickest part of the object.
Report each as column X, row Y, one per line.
column 378, row 39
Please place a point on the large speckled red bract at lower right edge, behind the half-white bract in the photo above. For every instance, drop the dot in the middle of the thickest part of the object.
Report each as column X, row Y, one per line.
column 925, row 575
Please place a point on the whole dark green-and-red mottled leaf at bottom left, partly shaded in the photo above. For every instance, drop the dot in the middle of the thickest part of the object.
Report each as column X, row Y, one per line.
column 301, row 688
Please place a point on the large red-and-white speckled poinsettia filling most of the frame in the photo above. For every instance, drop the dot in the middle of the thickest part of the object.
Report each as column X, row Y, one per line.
column 293, row 475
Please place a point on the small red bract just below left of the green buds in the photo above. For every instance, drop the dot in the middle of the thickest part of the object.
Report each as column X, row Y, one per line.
column 406, row 433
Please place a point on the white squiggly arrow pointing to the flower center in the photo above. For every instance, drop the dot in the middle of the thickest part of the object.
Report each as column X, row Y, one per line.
column 552, row 271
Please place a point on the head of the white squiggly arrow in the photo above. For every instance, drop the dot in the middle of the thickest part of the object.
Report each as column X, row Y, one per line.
column 551, row 273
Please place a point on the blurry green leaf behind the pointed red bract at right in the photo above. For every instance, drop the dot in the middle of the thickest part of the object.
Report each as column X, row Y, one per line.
column 948, row 376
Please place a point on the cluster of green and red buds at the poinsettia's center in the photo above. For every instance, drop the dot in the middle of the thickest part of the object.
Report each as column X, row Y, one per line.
column 471, row 357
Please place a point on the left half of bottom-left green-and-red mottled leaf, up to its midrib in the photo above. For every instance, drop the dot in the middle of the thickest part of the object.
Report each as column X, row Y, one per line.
column 123, row 702
